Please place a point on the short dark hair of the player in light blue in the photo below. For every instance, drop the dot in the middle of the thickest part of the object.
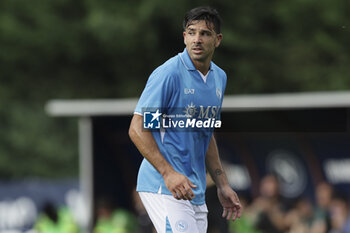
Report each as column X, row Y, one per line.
column 210, row 15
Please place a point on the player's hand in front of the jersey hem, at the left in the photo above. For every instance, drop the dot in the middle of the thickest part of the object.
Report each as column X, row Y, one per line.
column 179, row 185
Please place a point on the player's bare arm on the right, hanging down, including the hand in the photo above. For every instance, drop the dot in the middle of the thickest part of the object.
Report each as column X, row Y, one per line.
column 228, row 198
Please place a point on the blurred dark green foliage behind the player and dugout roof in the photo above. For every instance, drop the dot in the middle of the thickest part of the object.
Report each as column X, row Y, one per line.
column 63, row 49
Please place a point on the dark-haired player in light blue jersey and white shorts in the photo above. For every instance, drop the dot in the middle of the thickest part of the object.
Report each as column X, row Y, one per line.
column 172, row 177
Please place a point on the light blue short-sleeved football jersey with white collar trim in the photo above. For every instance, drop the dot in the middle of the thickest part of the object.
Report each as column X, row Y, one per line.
column 176, row 86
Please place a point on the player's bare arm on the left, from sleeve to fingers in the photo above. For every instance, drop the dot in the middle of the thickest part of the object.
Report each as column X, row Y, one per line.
column 179, row 185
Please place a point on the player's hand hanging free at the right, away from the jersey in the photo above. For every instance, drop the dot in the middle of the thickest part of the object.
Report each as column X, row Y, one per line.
column 230, row 203
